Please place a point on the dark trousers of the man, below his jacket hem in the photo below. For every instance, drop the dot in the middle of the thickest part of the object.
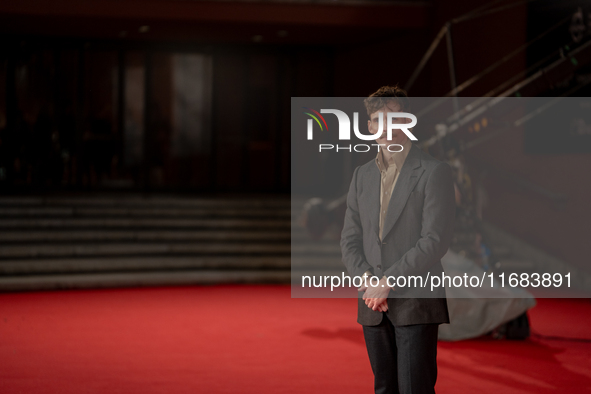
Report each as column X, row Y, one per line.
column 403, row 358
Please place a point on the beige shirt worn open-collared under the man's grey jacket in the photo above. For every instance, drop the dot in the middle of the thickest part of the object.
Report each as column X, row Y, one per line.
column 389, row 175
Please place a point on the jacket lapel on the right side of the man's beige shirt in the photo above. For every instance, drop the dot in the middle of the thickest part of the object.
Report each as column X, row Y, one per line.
column 408, row 178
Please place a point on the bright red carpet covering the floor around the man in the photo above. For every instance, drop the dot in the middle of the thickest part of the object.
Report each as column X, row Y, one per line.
column 255, row 339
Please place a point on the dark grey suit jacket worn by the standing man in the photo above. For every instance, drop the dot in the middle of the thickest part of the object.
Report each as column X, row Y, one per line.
column 417, row 232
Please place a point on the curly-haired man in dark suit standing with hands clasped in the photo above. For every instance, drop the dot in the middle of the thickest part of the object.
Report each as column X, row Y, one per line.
column 399, row 222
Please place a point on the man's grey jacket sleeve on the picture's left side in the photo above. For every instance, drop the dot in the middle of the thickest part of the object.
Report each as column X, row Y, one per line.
column 352, row 234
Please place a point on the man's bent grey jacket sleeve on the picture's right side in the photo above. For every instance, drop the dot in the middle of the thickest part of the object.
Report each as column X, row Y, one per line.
column 436, row 227
